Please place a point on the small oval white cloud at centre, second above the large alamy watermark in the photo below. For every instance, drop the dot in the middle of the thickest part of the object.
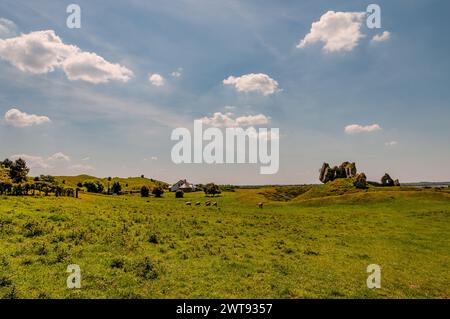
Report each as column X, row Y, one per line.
column 260, row 83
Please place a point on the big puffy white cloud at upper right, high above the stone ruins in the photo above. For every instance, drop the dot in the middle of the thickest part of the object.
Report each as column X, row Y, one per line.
column 339, row 31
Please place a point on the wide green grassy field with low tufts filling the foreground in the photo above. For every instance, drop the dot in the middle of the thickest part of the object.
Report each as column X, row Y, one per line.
column 304, row 243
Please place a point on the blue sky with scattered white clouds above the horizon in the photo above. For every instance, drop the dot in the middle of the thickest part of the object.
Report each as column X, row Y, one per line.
column 104, row 99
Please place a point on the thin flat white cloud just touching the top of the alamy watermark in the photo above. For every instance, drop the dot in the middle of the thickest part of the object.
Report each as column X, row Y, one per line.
column 220, row 119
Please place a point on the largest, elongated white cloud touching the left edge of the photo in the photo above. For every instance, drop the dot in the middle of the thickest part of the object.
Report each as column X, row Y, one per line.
column 43, row 51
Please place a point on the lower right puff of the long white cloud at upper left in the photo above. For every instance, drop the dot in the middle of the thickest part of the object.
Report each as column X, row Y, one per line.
column 92, row 68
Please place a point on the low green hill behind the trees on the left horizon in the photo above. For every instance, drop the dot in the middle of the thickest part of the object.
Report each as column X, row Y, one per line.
column 134, row 183
